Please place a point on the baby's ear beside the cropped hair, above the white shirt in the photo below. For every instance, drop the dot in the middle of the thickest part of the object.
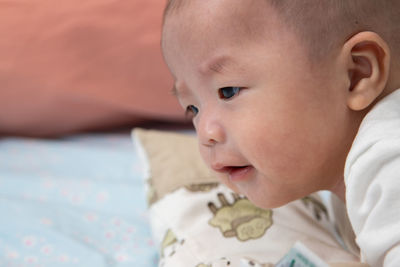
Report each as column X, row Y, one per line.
column 368, row 62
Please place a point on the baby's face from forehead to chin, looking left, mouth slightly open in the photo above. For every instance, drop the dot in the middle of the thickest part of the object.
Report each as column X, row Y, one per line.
column 272, row 126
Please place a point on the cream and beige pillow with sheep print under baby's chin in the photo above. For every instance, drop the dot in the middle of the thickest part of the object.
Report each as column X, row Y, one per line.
column 196, row 221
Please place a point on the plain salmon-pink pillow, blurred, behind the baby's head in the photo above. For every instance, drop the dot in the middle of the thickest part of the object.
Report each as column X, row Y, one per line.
column 69, row 65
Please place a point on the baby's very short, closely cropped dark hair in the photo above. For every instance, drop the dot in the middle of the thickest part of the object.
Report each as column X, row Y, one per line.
column 323, row 24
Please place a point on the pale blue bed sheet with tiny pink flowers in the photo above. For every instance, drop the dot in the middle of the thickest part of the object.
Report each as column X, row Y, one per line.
column 76, row 201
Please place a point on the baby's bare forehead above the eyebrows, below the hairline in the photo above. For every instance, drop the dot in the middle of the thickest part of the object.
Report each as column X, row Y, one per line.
column 201, row 30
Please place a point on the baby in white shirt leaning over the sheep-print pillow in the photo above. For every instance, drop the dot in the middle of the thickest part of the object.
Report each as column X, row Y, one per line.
column 291, row 97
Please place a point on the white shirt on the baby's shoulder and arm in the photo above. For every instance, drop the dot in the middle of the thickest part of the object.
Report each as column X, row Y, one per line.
column 372, row 177
